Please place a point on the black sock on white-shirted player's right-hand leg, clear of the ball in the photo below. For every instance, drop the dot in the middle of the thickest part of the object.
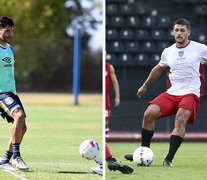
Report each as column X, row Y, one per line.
column 175, row 142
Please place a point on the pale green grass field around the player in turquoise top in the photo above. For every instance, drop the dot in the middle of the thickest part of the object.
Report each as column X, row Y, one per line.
column 56, row 129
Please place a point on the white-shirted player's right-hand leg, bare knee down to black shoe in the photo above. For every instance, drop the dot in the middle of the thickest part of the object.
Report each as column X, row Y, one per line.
column 178, row 134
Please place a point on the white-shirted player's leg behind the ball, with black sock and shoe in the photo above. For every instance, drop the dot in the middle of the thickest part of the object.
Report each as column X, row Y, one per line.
column 148, row 125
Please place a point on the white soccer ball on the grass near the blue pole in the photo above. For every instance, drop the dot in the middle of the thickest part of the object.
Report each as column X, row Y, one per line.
column 89, row 149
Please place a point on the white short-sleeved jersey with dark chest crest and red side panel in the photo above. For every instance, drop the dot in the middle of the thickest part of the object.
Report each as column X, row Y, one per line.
column 186, row 68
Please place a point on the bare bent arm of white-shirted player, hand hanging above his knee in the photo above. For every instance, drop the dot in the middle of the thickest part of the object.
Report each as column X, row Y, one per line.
column 154, row 75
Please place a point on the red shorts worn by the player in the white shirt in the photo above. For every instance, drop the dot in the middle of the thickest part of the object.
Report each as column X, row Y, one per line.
column 170, row 104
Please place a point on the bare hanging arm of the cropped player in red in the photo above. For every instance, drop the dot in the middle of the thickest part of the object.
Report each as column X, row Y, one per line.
column 115, row 86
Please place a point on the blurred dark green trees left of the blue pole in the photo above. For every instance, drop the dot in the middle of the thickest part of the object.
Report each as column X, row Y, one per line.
column 43, row 50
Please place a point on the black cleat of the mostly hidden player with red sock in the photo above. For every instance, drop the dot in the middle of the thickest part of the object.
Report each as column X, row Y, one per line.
column 116, row 165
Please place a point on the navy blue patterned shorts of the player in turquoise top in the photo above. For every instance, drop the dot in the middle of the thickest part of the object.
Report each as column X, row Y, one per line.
column 8, row 103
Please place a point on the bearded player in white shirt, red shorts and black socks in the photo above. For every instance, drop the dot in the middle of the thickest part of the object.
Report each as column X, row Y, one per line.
column 185, row 59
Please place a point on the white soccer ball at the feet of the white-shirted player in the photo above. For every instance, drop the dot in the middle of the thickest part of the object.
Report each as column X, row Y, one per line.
column 143, row 156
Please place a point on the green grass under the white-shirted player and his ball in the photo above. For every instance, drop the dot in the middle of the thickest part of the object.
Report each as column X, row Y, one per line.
column 189, row 162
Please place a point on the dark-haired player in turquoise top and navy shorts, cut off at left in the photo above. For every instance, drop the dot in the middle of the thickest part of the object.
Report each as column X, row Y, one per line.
column 10, row 105
